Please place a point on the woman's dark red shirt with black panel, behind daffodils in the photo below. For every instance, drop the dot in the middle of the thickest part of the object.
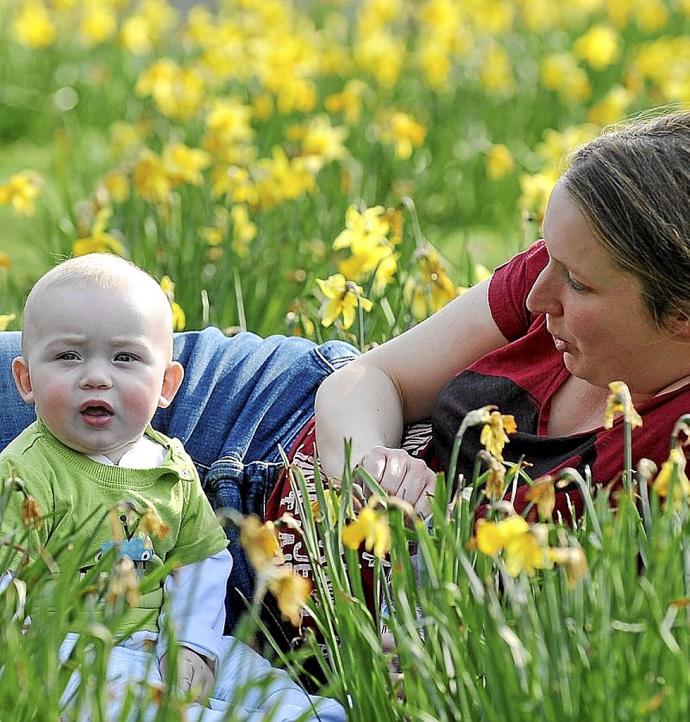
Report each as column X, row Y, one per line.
column 521, row 379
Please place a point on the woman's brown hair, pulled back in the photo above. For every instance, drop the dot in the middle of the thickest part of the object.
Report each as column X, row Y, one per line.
column 633, row 186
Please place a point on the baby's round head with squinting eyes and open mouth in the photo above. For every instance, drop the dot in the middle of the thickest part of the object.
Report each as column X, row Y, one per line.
column 97, row 353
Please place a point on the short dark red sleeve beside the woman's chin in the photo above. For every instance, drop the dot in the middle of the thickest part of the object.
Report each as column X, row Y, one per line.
column 509, row 287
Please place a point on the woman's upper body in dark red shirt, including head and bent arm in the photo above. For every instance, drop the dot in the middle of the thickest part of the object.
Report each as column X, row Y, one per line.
column 604, row 297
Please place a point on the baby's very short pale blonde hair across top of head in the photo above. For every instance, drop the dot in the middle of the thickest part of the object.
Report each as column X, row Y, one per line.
column 102, row 271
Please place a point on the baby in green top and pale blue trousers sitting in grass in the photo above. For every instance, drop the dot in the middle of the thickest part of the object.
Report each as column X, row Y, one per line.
column 97, row 362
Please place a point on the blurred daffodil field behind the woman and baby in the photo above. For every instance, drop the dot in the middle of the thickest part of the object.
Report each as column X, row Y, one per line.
column 317, row 168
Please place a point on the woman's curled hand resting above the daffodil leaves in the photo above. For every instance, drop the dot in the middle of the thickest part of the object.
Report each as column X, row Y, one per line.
column 401, row 475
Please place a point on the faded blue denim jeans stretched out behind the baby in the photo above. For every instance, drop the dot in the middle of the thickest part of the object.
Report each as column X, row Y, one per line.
column 241, row 399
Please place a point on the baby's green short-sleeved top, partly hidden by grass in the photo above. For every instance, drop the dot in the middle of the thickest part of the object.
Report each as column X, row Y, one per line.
column 75, row 492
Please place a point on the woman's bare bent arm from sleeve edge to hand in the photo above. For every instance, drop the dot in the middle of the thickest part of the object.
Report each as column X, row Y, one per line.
column 372, row 398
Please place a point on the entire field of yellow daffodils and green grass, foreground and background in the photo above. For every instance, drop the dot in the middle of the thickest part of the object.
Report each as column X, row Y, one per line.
column 343, row 169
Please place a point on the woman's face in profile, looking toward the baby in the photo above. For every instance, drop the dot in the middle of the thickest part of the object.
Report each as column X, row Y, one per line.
column 595, row 312
